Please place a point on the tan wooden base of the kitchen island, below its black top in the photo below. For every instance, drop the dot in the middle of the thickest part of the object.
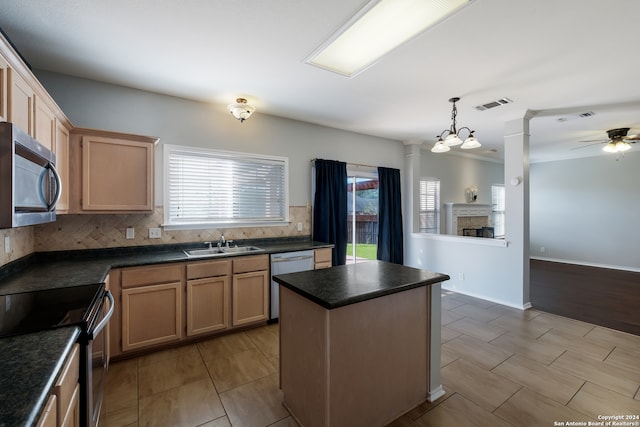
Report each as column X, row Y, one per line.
column 363, row 364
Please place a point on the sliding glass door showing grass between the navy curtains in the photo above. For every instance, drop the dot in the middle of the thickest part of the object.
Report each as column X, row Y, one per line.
column 362, row 217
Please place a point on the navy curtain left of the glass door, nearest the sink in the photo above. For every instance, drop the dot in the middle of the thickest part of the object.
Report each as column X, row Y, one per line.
column 330, row 207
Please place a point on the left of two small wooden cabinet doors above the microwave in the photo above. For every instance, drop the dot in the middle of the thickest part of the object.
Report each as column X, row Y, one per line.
column 20, row 102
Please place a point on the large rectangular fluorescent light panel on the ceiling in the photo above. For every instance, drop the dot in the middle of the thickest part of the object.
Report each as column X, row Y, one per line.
column 380, row 27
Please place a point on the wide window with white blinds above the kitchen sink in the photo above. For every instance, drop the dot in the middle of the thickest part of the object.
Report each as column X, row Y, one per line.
column 211, row 187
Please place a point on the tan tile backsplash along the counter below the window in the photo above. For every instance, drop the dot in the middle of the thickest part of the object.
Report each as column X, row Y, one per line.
column 72, row 232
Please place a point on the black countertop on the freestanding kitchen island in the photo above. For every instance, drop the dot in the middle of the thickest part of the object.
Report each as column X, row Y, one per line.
column 349, row 284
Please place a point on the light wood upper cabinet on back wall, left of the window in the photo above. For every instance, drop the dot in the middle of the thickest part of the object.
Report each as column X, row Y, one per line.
column 111, row 172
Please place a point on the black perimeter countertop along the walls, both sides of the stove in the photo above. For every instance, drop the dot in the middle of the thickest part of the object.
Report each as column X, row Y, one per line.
column 29, row 363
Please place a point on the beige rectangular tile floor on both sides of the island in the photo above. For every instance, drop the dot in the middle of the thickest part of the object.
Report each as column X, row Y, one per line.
column 500, row 367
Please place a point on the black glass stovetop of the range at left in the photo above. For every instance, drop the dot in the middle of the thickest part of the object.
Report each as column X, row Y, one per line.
column 35, row 311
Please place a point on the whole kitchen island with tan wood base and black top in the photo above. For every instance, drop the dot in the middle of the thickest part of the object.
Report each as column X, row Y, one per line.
column 359, row 343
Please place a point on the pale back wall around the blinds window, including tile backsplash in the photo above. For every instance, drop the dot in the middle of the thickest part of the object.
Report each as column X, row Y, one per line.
column 183, row 122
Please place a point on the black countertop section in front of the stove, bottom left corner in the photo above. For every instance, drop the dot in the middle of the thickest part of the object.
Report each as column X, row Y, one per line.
column 29, row 366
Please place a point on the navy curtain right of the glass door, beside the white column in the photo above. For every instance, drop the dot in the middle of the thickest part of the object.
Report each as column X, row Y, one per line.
column 390, row 244
